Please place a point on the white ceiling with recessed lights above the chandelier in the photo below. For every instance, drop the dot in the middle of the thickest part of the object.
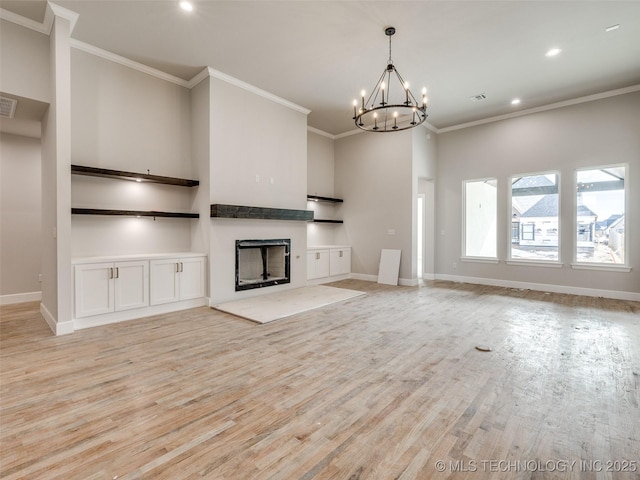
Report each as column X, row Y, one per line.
column 320, row 54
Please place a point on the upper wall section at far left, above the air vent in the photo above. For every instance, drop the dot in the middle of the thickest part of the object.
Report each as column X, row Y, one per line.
column 25, row 62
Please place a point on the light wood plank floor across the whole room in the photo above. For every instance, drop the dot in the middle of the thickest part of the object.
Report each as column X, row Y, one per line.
column 382, row 386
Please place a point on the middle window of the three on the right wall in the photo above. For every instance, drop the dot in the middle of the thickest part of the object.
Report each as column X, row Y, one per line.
column 534, row 209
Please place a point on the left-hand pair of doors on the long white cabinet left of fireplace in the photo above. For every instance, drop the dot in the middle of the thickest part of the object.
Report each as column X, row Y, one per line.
column 102, row 288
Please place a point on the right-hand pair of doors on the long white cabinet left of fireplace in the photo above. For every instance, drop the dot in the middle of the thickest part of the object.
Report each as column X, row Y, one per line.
column 174, row 279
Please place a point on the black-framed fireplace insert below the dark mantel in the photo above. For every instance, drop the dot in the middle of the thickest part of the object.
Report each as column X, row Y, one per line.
column 262, row 263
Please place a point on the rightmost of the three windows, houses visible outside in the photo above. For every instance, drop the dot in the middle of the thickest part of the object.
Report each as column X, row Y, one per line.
column 600, row 215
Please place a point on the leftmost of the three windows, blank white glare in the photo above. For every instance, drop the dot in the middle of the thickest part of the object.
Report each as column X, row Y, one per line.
column 480, row 214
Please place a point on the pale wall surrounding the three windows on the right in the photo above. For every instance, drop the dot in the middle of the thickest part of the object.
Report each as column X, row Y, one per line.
column 589, row 134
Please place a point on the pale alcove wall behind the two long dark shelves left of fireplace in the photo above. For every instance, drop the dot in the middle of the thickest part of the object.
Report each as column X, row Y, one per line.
column 123, row 119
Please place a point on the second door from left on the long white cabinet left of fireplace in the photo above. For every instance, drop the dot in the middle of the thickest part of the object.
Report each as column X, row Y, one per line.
column 131, row 285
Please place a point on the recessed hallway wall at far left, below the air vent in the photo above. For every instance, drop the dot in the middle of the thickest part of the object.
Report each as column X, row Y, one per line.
column 20, row 228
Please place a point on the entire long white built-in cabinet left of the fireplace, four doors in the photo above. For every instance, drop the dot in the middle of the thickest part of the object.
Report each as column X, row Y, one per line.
column 113, row 289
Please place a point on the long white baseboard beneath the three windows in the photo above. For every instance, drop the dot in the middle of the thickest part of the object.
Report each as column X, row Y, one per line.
column 543, row 287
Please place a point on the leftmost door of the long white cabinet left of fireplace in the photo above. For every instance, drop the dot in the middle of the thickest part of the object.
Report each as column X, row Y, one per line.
column 94, row 289
